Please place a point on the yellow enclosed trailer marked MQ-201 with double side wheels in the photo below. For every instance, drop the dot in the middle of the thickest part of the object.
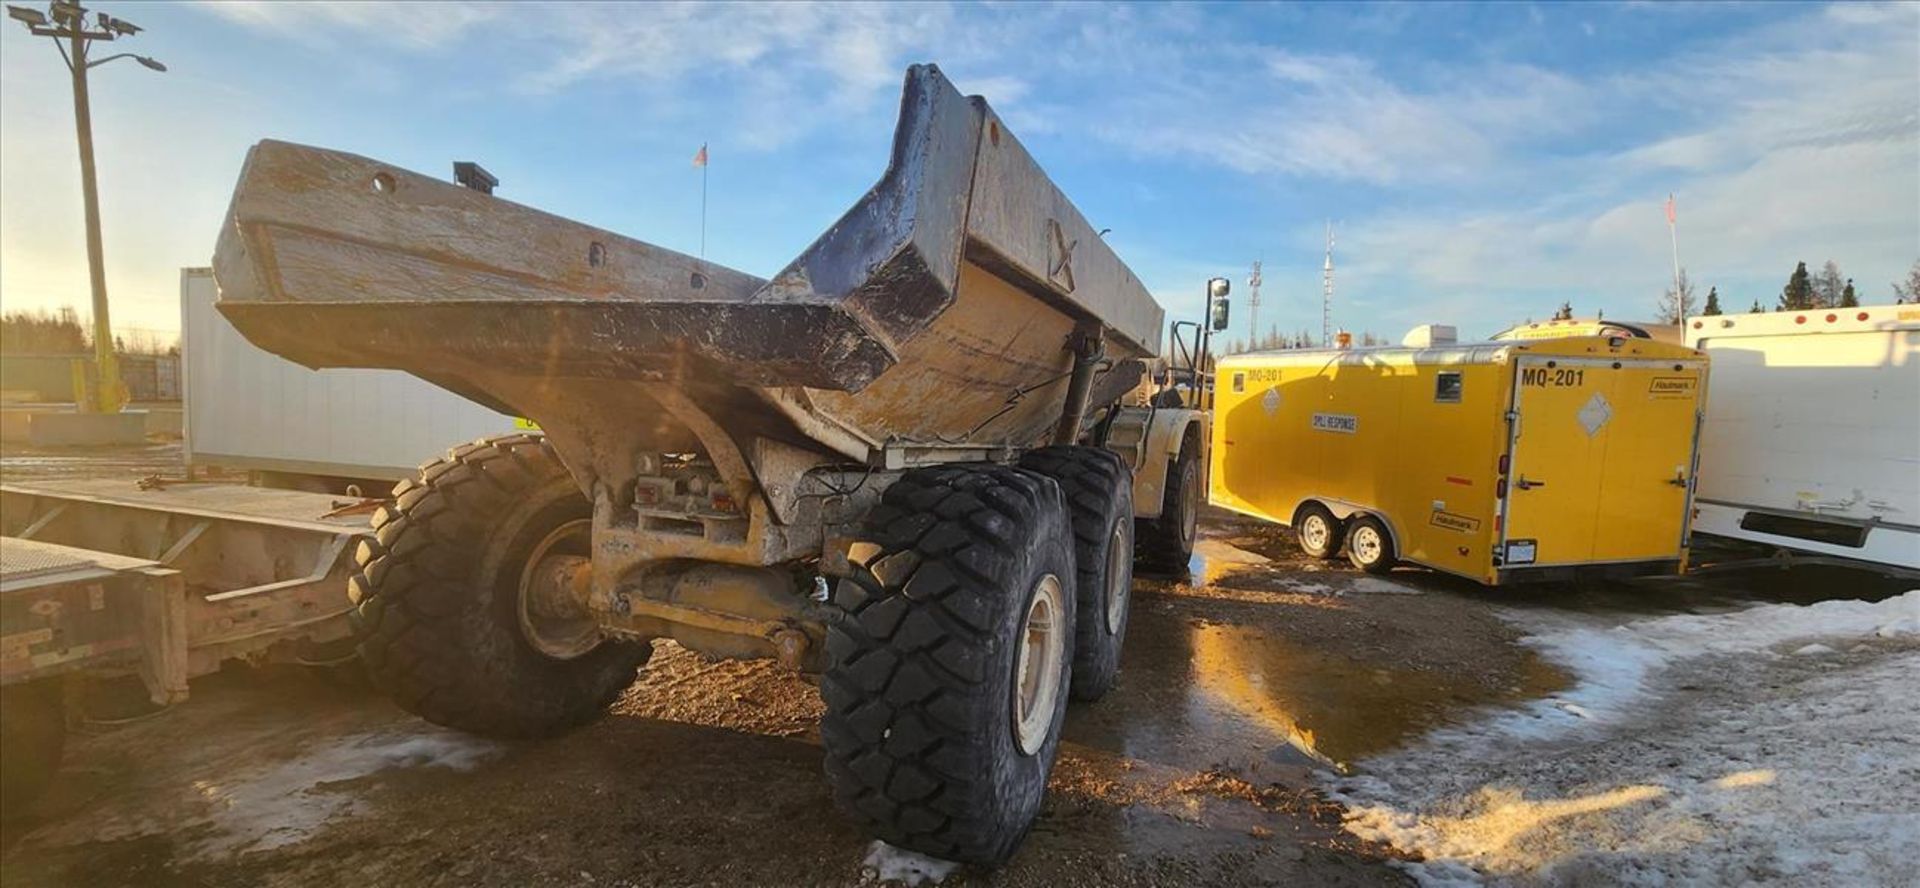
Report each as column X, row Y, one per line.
column 1500, row 461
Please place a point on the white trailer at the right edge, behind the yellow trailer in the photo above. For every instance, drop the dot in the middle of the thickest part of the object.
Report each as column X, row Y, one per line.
column 1812, row 432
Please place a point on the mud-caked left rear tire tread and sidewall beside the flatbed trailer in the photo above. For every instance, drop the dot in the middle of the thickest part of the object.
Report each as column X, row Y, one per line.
column 439, row 592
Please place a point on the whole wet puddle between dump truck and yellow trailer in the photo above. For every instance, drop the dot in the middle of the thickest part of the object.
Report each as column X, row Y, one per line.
column 1226, row 674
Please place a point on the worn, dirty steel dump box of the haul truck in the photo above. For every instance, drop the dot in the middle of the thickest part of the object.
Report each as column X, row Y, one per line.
column 934, row 314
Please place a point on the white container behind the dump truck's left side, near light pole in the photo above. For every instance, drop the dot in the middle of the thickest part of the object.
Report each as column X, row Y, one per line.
column 256, row 411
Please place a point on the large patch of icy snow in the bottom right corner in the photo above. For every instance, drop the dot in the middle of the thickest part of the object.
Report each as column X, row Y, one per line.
column 1744, row 766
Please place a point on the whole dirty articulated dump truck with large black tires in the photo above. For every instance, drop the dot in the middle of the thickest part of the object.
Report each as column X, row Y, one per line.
column 901, row 463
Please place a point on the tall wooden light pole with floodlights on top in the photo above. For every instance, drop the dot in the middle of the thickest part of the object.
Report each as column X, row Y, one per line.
column 66, row 24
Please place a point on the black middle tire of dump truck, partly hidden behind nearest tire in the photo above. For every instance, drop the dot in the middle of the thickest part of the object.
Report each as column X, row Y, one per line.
column 1099, row 490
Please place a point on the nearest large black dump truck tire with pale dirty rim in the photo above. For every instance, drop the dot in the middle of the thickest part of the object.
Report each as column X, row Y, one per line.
column 948, row 676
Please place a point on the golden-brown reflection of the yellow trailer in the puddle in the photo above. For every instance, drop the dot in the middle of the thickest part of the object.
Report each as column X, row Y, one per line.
column 1332, row 709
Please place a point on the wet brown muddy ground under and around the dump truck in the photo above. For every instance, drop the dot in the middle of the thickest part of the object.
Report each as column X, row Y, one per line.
column 1245, row 686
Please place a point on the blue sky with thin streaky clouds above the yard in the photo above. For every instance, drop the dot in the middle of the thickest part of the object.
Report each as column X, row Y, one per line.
column 1481, row 162
